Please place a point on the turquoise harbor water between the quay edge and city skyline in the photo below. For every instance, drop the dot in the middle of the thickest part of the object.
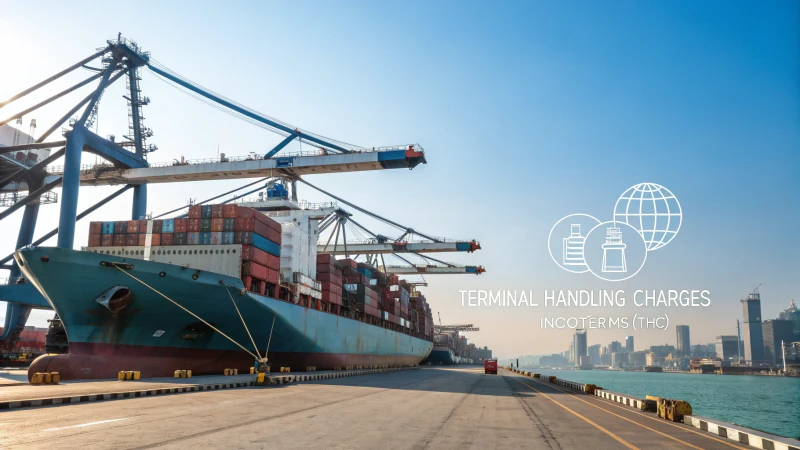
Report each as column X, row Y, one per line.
column 766, row 403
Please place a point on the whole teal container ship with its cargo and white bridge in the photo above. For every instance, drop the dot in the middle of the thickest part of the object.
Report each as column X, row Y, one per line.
column 222, row 288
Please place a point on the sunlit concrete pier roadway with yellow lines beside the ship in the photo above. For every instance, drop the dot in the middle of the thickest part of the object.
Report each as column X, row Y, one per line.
column 436, row 408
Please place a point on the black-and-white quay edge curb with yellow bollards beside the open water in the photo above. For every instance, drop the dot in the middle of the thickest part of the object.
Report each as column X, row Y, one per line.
column 677, row 411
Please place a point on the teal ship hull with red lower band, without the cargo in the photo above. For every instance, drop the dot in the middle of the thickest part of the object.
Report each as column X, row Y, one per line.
column 152, row 334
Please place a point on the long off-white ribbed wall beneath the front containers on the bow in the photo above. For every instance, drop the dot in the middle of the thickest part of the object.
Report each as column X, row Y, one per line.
column 222, row 259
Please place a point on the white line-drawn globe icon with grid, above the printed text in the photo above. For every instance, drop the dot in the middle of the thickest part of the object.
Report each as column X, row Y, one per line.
column 652, row 210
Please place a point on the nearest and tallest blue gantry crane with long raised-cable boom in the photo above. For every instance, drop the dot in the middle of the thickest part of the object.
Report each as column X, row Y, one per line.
column 127, row 162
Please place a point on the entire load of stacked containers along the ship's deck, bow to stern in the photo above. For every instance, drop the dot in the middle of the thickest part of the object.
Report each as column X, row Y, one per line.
column 272, row 259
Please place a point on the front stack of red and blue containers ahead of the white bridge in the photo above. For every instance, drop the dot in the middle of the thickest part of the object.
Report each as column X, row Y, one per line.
column 246, row 243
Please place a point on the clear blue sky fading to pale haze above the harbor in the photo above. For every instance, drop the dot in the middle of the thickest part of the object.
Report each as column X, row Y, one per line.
column 529, row 111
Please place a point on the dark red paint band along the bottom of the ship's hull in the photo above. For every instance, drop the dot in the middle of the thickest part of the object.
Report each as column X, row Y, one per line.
column 101, row 361
